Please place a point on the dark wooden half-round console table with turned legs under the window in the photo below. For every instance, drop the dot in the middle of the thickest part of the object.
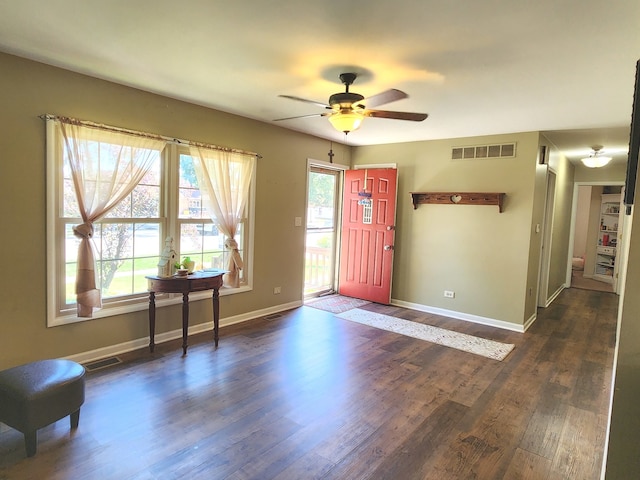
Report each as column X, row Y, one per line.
column 196, row 282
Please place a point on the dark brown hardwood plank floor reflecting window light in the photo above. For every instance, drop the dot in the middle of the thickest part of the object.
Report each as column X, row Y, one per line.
column 311, row 396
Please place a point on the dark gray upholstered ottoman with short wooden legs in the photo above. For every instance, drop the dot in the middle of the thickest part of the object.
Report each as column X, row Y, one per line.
column 39, row 393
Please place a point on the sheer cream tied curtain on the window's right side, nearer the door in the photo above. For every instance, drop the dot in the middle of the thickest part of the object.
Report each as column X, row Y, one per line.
column 224, row 178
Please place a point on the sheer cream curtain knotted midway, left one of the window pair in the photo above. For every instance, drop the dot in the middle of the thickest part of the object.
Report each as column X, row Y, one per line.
column 106, row 165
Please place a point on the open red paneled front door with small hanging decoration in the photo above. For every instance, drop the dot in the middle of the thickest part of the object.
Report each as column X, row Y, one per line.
column 368, row 230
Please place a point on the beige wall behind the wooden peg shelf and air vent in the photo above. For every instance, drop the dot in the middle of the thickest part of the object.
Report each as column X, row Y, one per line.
column 480, row 254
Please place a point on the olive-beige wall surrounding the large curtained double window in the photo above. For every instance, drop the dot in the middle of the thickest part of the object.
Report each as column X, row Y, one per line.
column 30, row 89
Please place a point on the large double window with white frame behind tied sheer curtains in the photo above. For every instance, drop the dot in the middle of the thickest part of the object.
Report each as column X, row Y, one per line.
column 165, row 202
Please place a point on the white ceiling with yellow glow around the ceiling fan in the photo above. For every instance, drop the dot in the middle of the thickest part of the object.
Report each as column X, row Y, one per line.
column 477, row 68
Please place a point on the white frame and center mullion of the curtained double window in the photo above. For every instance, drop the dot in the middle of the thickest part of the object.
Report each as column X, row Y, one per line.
column 169, row 222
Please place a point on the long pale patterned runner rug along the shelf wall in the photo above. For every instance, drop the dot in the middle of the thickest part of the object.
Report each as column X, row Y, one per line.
column 448, row 338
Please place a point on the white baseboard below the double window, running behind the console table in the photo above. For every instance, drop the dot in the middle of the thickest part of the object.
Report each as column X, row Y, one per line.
column 131, row 345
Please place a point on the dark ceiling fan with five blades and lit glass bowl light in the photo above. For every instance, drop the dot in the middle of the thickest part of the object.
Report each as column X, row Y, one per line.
column 348, row 109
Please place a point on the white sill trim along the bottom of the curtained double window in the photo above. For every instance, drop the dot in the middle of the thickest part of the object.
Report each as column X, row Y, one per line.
column 143, row 304
